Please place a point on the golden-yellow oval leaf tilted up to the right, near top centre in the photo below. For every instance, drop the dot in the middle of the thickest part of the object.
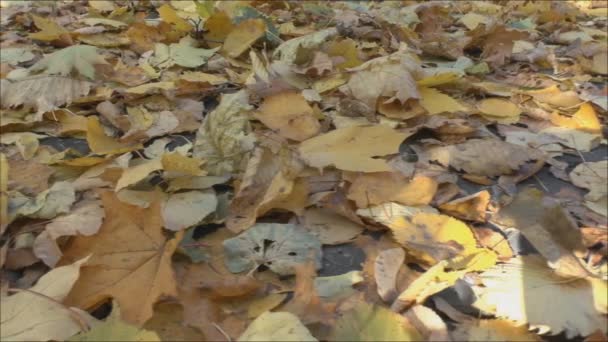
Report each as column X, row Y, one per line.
column 243, row 36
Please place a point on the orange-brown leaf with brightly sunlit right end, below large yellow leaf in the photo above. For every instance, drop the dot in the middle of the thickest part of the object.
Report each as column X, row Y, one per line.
column 369, row 189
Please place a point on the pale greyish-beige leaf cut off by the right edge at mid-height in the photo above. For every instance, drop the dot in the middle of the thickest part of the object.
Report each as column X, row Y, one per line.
column 591, row 176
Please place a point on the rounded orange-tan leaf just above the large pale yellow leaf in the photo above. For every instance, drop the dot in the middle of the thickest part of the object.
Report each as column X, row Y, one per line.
column 290, row 115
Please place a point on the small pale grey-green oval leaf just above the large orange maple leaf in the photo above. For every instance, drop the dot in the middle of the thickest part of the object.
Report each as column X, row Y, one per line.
column 185, row 209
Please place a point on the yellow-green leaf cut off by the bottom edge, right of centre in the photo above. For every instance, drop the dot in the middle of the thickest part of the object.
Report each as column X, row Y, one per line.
column 368, row 322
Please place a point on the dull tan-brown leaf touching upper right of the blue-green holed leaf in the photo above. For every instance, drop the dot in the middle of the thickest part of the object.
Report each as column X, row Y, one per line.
column 329, row 227
